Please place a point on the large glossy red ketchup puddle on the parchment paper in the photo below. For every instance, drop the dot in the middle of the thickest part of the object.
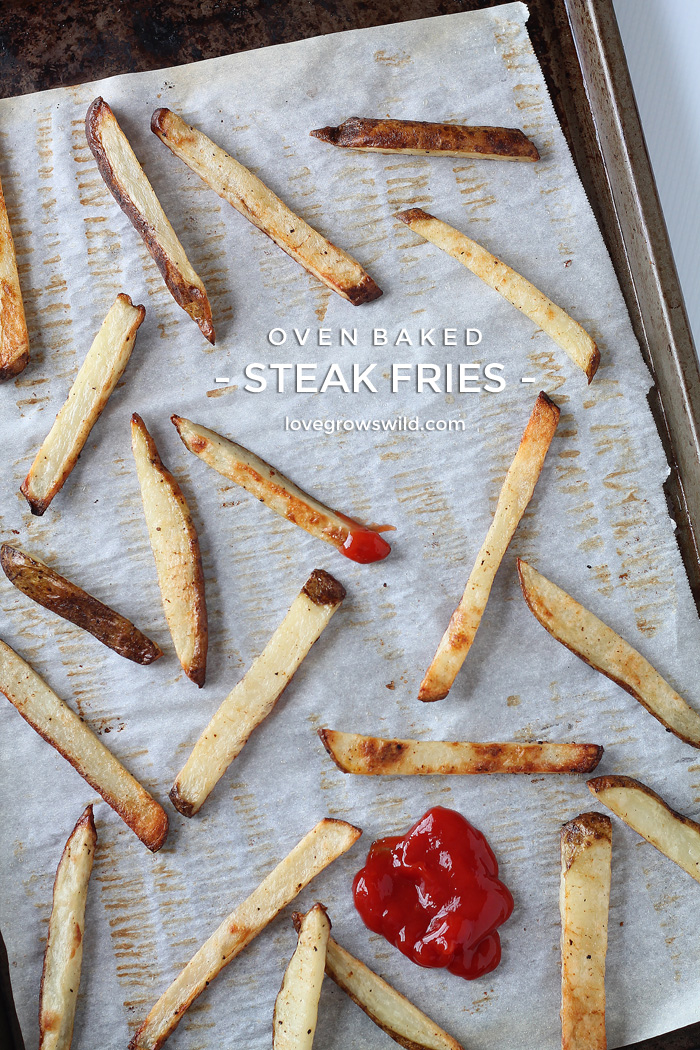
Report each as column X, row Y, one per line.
column 436, row 895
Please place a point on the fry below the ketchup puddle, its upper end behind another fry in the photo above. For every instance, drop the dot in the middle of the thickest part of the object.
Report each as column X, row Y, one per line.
column 390, row 1011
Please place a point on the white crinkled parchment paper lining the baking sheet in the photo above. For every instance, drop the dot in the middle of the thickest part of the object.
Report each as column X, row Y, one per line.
column 598, row 524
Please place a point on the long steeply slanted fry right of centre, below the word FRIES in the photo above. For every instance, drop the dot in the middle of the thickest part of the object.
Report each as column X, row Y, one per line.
column 516, row 495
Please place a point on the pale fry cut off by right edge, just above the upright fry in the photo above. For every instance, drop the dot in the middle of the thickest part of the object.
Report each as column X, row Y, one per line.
column 673, row 834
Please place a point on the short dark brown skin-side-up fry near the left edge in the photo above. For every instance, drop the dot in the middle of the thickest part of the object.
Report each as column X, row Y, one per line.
column 68, row 600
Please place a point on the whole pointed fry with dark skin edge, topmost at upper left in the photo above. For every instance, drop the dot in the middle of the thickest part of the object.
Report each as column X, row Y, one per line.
column 128, row 183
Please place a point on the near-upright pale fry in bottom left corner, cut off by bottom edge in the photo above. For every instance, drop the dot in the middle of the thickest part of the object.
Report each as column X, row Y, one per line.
column 63, row 957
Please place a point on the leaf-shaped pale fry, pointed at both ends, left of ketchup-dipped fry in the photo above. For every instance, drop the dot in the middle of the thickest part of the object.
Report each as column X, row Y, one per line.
column 176, row 550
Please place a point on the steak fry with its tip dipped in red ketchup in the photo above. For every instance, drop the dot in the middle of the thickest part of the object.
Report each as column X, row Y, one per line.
column 355, row 541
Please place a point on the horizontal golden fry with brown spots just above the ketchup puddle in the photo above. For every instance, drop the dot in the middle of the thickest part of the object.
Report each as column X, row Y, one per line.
column 375, row 757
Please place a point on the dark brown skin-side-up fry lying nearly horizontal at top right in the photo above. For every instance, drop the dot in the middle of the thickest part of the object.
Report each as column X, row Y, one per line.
column 370, row 135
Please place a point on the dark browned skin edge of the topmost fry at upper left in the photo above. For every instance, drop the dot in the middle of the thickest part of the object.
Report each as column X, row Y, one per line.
column 189, row 298
